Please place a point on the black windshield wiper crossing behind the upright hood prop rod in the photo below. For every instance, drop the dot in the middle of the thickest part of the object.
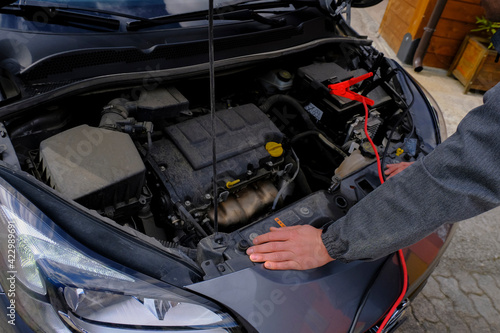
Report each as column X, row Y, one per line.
column 240, row 12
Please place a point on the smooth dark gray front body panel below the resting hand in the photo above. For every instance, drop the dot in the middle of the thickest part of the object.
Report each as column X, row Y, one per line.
column 320, row 300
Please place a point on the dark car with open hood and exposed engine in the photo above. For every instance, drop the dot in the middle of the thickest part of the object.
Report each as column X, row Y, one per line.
column 144, row 144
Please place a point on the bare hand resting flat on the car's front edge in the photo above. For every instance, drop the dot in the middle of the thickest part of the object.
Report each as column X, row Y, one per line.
column 298, row 247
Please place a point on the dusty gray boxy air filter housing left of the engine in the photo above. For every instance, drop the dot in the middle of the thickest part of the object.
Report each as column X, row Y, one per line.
column 96, row 167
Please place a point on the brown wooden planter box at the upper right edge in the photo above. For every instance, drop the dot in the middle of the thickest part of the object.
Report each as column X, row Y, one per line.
column 474, row 65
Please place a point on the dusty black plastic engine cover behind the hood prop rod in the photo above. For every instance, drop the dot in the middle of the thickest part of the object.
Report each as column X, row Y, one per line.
column 242, row 133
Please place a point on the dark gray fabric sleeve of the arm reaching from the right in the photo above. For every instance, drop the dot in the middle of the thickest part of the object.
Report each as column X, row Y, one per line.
column 458, row 180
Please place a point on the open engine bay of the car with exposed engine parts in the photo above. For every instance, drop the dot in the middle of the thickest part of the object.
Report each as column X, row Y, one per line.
column 142, row 155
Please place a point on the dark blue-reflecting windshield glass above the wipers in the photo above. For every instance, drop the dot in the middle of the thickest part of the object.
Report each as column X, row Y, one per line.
column 66, row 16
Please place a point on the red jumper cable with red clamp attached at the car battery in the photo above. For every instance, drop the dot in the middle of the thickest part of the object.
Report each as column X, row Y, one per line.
column 342, row 89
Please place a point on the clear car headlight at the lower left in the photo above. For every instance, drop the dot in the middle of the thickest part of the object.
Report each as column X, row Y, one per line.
column 88, row 292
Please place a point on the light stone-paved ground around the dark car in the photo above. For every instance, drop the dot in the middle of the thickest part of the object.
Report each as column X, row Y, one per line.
column 463, row 294
